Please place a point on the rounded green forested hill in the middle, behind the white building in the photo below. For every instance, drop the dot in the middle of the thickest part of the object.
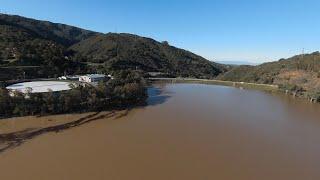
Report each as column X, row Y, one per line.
column 127, row 51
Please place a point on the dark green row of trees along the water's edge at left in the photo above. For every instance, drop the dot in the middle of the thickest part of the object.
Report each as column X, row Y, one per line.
column 126, row 89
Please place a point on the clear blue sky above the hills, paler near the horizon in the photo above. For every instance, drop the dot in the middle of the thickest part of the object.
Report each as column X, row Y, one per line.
column 222, row 30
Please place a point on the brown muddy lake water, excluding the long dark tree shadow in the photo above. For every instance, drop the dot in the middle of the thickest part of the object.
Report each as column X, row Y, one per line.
column 187, row 132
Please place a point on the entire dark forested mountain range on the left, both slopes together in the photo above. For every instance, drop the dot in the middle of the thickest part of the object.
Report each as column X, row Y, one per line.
column 34, row 48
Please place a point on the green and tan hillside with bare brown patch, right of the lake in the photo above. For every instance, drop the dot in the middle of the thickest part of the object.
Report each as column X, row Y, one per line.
column 299, row 74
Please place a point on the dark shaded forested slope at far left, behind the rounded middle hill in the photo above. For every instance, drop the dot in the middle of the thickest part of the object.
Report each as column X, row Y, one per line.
column 31, row 48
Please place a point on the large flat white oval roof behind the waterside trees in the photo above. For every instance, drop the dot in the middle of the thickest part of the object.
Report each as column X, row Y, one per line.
column 40, row 86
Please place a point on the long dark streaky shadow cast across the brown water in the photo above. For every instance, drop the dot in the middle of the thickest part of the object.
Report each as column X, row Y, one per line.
column 15, row 139
